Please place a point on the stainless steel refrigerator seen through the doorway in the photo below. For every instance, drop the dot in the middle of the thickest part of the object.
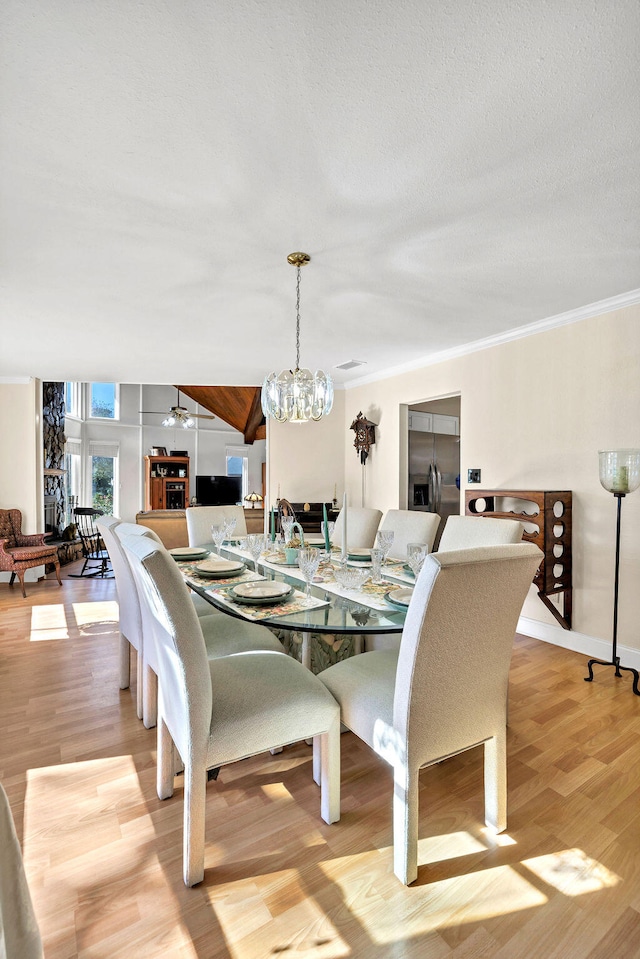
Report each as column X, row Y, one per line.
column 434, row 474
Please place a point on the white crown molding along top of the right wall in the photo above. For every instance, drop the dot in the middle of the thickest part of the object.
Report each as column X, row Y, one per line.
column 609, row 305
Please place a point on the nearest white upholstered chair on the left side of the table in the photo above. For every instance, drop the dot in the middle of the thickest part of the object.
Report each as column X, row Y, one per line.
column 215, row 712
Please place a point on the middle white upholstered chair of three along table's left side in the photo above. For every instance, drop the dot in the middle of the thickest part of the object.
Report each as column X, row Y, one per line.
column 224, row 635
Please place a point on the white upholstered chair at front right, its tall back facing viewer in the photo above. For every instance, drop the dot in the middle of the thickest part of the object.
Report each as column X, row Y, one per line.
column 445, row 690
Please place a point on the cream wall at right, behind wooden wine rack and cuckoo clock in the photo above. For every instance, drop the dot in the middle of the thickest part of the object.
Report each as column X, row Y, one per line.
column 534, row 414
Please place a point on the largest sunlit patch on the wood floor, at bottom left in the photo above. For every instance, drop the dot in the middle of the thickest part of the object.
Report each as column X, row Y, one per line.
column 81, row 843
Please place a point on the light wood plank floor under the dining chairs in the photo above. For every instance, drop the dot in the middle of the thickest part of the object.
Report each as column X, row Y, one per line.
column 103, row 854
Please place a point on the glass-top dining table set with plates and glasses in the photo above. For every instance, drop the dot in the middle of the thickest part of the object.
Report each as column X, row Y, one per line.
column 331, row 629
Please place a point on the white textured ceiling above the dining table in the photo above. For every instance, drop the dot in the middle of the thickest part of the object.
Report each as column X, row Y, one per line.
column 455, row 169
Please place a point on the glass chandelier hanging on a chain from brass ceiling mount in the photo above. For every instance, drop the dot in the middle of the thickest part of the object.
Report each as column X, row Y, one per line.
column 297, row 396
